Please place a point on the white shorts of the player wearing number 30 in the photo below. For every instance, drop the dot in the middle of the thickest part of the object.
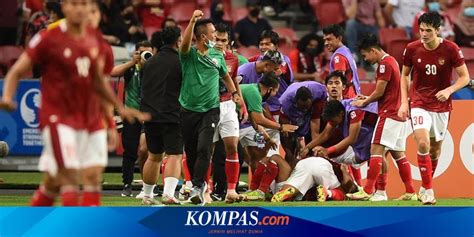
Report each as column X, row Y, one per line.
column 436, row 123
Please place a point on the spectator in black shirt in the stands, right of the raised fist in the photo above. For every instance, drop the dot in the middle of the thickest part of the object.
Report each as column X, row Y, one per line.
column 248, row 29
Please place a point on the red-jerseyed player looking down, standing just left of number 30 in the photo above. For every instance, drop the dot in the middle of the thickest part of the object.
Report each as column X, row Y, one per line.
column 391, row 131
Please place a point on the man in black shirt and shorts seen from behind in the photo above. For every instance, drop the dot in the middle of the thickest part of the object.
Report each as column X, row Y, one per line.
column 161, row 85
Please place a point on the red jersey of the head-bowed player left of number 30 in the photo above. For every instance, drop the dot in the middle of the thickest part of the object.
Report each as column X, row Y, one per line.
column 389, row 103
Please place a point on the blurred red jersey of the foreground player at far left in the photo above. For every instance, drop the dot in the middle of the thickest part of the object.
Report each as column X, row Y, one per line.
column 68, row 65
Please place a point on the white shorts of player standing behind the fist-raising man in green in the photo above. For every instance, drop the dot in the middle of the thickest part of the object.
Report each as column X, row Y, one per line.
column 228, row 125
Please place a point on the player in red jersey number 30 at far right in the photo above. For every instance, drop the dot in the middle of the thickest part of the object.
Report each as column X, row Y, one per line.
column 430, row 61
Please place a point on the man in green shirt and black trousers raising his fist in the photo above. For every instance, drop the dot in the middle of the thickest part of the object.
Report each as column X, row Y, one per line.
column 202, row 68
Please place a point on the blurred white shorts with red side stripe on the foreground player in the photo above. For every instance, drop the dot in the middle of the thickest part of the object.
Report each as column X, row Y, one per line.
column 72, row 149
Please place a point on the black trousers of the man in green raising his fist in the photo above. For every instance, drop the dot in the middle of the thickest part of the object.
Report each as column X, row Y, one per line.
column 198, row 131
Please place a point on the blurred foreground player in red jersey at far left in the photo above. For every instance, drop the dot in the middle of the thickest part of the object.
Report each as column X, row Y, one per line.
column 74, row 90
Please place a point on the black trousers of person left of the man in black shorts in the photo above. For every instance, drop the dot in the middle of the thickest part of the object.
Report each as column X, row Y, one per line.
column 130, row 141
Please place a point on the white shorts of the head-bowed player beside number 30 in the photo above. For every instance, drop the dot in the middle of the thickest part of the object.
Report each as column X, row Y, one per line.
column 391, row 133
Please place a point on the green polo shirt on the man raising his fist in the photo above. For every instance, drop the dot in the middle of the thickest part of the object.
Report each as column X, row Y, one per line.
column 201, row 73
